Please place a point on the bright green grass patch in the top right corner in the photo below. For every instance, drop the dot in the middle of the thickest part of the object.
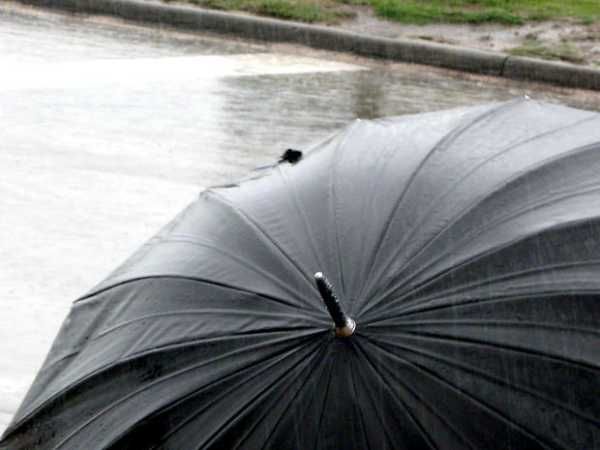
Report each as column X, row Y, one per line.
column 510, row 12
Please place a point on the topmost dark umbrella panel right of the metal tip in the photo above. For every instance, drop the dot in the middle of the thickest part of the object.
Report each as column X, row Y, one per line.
column 560, row 261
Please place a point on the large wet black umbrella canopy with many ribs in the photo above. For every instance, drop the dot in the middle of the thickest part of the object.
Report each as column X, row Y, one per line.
column 463, row 251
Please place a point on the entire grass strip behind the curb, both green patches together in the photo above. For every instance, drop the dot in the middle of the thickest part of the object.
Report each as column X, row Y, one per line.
column 509, row 12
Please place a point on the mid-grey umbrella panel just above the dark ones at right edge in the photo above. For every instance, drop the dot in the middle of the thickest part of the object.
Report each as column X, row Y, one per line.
column 511, row 214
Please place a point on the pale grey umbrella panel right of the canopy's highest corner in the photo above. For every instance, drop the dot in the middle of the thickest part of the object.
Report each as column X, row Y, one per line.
column 463, row 187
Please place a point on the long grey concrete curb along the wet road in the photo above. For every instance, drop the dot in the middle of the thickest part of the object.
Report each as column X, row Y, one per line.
column 320, row 37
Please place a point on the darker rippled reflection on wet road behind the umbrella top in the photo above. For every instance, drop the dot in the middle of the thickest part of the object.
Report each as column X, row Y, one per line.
column 264, row 114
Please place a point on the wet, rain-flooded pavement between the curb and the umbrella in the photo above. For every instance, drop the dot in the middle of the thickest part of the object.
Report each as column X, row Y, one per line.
column 108, row 130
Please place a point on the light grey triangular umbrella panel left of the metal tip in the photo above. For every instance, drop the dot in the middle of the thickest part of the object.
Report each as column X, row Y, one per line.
column 216, row 242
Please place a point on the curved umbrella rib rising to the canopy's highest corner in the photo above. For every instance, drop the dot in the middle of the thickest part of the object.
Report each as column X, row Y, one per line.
column 448, row 139
